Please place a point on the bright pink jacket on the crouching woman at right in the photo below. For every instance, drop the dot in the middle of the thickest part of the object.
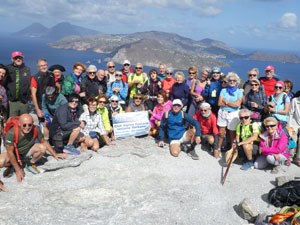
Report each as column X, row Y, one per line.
column 279, row 144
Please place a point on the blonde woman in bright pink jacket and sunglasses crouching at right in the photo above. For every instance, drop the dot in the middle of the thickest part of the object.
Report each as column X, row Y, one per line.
column 273, row 145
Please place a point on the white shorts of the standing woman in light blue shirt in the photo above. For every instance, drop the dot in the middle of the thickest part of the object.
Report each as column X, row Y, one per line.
column 228, row 119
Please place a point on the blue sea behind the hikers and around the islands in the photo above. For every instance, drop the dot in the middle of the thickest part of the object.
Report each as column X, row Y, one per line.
column 34, row 49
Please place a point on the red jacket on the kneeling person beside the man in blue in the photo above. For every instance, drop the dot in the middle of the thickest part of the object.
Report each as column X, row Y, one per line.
column 208, row 125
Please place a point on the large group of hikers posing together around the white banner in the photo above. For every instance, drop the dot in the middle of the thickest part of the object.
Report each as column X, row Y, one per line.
column 57, row 114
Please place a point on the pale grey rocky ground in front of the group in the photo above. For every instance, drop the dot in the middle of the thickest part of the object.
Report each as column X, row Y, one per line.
column 135, row 182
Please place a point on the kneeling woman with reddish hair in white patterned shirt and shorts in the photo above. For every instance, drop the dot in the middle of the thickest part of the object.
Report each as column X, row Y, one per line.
column 93, row 129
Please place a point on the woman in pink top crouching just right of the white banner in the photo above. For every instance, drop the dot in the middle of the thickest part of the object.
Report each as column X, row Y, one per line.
column 163, row 106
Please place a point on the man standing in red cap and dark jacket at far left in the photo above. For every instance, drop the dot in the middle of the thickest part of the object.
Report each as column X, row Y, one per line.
column 18, row 85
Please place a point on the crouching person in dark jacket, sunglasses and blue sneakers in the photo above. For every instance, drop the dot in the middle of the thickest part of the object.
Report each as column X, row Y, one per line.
column 66, row 126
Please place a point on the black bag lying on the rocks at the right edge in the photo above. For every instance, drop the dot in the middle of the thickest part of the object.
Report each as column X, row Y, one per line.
column 287, row 194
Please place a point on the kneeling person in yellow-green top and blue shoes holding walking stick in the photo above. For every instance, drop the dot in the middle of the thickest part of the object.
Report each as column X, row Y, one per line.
column 247, row 138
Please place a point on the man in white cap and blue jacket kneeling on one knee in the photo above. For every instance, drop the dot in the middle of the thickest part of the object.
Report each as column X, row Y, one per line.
column 173, row 124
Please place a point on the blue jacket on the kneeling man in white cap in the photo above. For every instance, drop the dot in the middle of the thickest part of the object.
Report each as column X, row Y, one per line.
column 176, row 127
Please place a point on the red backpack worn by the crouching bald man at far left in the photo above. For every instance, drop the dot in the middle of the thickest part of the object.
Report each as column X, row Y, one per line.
column 14, row 122
